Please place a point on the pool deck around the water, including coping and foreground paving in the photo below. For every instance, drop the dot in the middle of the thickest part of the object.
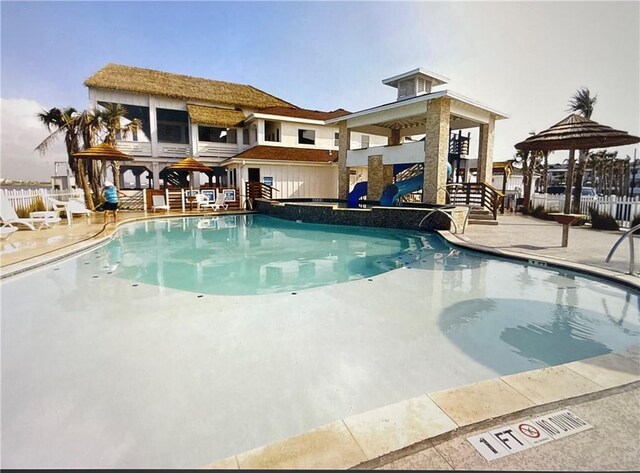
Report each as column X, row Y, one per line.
column 430, row 432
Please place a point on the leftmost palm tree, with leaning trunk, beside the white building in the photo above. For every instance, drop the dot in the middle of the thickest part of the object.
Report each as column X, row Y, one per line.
column 66, row 122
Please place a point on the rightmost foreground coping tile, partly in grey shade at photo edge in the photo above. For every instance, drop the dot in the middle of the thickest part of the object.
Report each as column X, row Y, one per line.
column 609, row 371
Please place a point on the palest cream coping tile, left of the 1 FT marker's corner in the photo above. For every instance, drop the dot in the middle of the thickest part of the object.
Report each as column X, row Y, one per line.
column 399, row 425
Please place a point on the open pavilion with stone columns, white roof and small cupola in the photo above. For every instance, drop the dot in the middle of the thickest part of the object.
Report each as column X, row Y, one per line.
column 417, row 111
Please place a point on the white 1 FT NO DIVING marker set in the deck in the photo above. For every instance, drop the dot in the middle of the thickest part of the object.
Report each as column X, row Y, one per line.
column 504, row 441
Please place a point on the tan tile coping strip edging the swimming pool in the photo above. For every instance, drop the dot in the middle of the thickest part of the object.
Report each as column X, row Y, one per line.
column 359, row 440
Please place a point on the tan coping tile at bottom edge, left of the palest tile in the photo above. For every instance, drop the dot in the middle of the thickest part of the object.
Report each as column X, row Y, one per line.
column 330, row 446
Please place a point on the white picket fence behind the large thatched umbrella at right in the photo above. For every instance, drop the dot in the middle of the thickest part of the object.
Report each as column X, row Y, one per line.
column 622, row 209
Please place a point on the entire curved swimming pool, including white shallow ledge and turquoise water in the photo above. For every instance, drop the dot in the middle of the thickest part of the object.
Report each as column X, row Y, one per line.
column 108, row 362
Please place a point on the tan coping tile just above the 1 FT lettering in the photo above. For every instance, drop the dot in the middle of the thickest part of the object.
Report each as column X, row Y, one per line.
column 480, row 401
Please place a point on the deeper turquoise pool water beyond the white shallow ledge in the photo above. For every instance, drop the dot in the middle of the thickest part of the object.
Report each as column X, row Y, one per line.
column 254, row 254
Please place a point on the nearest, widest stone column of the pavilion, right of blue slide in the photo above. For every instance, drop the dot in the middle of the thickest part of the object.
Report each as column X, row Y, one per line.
column 436, row 151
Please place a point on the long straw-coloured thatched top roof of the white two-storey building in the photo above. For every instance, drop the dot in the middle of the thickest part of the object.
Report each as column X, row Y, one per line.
column 178, row 86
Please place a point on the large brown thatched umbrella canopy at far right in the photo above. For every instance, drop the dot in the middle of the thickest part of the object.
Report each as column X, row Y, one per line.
column 576, row 132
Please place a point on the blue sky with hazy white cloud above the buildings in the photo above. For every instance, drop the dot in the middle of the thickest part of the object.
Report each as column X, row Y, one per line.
column 524, row 59
